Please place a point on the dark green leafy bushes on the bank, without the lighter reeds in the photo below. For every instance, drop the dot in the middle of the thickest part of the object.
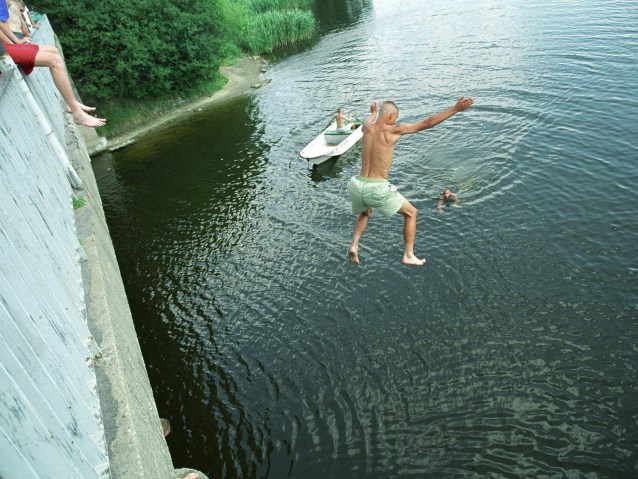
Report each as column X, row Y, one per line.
column 117, row 48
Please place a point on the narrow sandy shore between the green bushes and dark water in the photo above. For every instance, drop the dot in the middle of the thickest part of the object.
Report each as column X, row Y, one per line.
column 243, row 77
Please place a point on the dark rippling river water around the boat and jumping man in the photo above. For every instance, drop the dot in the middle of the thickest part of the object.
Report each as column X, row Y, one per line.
column 512, row 353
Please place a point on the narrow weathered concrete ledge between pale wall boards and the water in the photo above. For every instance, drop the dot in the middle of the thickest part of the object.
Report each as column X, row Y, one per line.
column 134, row 436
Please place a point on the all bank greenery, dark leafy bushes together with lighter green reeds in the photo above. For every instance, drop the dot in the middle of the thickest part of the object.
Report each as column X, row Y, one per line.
column 153, row 48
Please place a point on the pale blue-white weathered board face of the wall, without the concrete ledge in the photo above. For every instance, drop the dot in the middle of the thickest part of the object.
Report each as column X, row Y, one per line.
column 50, row 418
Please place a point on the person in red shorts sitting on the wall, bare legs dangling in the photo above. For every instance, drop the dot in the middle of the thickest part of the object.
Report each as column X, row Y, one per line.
column 28, row 55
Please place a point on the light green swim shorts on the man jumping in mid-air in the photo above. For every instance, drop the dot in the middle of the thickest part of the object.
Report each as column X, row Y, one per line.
column 375, row 193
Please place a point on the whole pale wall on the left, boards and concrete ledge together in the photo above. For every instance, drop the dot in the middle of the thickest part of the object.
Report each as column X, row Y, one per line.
column 75, row 399
